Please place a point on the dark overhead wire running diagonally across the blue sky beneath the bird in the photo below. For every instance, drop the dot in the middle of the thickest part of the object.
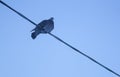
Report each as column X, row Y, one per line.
column 64, row 42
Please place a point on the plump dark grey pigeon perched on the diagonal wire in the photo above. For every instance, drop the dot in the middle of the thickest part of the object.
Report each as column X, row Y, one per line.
column 45, row 26
